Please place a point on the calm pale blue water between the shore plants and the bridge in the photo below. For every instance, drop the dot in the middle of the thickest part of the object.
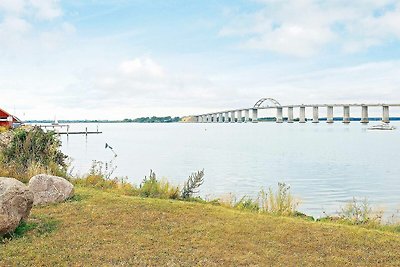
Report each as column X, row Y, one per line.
column 325, row 165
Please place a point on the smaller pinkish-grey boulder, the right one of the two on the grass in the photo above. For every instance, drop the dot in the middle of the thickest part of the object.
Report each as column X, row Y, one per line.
column 50, row 189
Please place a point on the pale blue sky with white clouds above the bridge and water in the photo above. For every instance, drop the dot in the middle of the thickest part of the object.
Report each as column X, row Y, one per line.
column 97, row 59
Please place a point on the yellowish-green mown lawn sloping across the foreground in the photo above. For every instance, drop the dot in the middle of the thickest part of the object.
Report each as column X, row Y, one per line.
column 99, row 228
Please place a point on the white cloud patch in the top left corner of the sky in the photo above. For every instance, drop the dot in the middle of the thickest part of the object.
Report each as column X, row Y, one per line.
column 27, row 26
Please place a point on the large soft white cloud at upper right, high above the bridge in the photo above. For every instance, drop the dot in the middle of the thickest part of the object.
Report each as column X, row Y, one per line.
column 304, row 27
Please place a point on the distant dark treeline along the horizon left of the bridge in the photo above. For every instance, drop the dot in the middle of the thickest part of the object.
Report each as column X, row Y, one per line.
column 153, row 119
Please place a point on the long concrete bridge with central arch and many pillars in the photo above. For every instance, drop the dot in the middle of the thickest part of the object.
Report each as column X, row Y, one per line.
column 243, row 114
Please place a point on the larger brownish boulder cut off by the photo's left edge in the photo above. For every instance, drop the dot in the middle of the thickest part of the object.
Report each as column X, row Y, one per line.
column 15, row 204
